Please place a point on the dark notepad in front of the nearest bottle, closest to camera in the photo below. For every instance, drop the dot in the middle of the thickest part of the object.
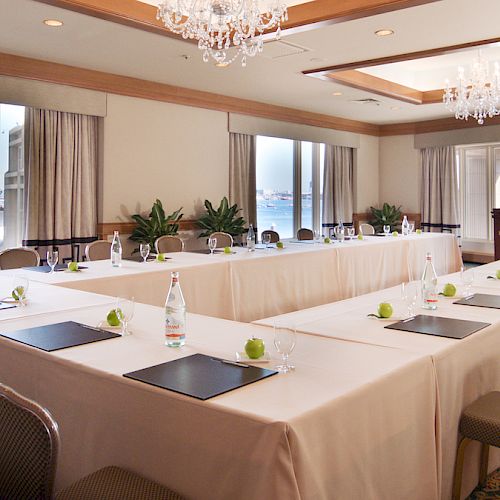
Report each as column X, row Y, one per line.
column 200, row 376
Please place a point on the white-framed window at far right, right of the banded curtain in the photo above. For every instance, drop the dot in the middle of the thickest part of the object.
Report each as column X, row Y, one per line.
column 479, row 187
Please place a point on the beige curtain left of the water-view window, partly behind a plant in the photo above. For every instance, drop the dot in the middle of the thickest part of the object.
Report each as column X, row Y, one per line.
column 242, row 183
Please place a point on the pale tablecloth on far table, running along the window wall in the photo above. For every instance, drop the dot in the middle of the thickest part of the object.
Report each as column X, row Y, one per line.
column 248, row 286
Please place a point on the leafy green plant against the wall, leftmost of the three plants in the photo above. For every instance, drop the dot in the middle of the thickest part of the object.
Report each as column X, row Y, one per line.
column 148, row 230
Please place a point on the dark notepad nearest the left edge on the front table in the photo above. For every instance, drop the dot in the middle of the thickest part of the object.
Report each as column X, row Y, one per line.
column 59, row 335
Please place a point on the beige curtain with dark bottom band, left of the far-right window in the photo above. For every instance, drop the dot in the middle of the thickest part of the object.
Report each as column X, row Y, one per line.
column 439, row 202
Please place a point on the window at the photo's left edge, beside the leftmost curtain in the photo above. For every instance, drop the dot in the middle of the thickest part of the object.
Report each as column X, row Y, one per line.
column 11, row 175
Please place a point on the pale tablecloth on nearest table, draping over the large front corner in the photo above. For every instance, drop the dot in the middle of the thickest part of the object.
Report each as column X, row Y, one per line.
column 352, row 421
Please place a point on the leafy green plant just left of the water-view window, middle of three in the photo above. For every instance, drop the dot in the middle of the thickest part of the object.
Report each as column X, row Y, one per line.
column 224, row 218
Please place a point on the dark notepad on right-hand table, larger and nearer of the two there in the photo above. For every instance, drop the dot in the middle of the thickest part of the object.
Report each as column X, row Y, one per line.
column 438, row 326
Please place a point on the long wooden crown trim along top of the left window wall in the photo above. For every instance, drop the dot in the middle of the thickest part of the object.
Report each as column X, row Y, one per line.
column 34, row 69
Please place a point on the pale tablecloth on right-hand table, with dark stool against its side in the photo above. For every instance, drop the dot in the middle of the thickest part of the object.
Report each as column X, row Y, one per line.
column 465, row 369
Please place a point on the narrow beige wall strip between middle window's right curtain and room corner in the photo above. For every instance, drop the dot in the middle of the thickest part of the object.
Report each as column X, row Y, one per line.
column 366, row 175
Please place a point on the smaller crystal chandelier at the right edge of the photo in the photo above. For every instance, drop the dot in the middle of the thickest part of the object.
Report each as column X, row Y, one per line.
column 478, row 96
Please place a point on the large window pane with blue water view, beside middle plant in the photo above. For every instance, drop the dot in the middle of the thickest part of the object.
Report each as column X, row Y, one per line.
column 274, row 179
